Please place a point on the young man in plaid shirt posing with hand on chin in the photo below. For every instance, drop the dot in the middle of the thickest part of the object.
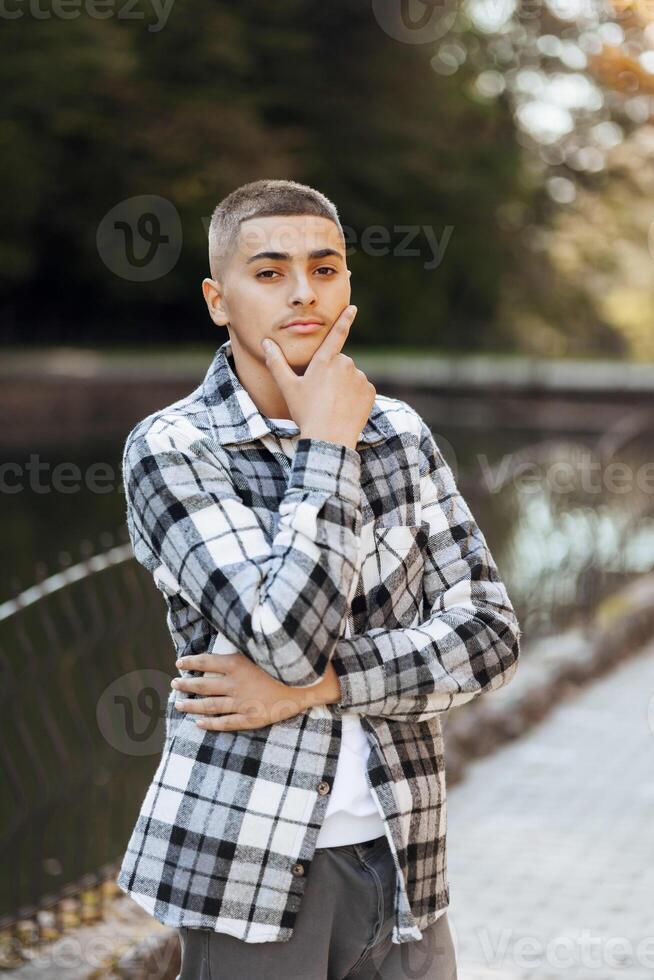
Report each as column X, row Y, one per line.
column 333, row 597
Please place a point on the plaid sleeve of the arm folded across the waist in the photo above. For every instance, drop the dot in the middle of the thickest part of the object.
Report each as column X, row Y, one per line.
column 469, row 643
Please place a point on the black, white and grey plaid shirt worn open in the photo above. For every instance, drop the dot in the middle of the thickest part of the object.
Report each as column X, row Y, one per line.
column 368, row 558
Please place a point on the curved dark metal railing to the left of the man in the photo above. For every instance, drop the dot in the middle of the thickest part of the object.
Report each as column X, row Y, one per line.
column 74, row 756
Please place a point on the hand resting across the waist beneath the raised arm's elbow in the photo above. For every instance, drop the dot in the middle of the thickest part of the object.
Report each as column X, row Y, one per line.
column 241, row 696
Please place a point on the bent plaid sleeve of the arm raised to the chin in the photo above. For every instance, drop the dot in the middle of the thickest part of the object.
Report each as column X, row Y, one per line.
column 282, row 603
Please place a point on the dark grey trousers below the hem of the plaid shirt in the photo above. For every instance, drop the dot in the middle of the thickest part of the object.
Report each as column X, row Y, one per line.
column 343, row 929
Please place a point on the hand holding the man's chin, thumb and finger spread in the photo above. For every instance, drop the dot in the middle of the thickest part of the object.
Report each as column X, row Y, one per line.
column 333, row 398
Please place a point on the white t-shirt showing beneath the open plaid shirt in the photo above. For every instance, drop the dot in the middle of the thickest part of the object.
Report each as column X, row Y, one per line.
column 352, row 813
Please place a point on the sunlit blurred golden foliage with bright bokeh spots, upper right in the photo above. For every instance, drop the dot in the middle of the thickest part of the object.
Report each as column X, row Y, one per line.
column 579, row 80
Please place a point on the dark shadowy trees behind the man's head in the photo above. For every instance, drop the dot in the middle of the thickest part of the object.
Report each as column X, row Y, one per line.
column 224, row 93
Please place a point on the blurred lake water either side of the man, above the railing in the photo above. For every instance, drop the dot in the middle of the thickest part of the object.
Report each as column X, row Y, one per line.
column 566, row 516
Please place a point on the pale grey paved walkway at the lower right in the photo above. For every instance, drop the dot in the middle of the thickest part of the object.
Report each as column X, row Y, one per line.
column 551, row 842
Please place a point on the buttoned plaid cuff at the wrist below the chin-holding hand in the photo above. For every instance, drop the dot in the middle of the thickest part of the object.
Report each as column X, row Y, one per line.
column 328, row 467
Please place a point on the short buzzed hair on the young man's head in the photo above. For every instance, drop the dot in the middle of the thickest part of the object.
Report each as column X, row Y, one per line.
column 258, row 199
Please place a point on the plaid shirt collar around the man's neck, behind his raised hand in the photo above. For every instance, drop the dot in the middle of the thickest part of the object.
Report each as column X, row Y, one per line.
column 235, row 418
